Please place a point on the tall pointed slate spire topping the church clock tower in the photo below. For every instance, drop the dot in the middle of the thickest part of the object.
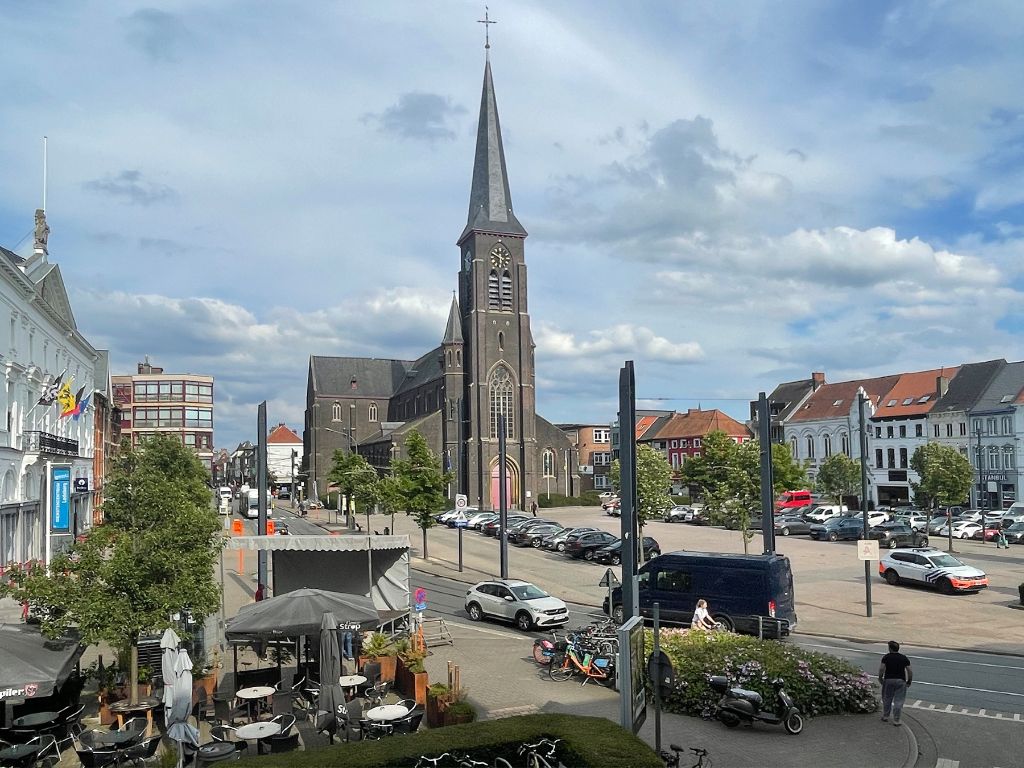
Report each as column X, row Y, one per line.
column 490, row 199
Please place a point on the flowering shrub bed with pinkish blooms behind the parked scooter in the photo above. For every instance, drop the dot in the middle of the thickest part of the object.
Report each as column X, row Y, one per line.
column 821, row 685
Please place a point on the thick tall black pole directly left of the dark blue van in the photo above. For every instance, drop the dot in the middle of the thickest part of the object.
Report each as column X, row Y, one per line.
column 628, row 489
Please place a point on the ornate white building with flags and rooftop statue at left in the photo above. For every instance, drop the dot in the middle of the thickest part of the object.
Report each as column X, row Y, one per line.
column 47, row 460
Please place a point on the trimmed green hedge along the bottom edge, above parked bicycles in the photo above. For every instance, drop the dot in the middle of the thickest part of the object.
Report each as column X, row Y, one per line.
column 586, row 742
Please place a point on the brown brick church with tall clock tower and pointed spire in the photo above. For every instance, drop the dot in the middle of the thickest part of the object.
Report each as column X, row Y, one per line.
column 458, row 394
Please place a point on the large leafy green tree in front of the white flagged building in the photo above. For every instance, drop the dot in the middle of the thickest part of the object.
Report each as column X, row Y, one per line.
column 153, row 558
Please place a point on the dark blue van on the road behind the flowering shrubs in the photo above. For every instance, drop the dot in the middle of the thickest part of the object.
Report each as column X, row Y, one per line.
column 739, row 590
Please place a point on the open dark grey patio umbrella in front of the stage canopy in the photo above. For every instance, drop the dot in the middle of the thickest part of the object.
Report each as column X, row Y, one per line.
column 300, row 613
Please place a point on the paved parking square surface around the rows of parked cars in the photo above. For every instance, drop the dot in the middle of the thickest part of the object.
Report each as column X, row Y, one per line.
column 829, row 578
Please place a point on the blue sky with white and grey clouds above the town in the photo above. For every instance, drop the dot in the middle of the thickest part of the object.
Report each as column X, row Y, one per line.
column 732, row 195
